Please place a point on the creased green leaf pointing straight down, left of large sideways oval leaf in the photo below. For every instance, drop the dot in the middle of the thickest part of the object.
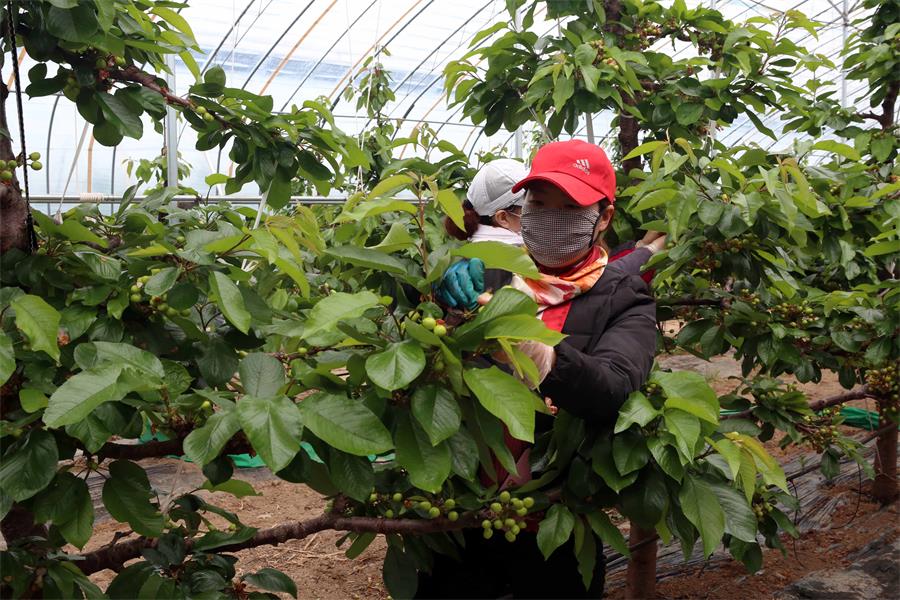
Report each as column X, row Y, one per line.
column 273, row 426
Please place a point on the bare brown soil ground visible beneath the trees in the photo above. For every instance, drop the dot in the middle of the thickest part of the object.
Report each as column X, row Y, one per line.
column 321, row 570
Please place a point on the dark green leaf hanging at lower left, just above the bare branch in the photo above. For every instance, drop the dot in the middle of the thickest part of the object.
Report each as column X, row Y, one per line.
column 127, row 494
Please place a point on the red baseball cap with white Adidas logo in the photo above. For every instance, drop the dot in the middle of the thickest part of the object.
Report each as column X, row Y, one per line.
column 578, row 168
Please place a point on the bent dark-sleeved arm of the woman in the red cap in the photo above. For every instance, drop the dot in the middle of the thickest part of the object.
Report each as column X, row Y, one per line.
column 593, row 385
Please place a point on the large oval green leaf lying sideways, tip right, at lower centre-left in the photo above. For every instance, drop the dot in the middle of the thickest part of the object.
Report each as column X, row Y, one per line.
column 345, row 424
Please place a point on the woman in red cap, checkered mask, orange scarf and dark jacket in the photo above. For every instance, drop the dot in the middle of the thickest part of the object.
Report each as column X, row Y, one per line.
column 609, row 318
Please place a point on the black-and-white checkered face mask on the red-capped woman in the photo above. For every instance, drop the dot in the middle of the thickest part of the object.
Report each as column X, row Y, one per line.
column 557, row 237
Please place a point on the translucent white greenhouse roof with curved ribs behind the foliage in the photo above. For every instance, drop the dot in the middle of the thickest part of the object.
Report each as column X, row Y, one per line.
column 295, row 50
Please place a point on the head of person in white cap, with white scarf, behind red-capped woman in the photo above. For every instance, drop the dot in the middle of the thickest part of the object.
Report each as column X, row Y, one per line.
column 492, row 211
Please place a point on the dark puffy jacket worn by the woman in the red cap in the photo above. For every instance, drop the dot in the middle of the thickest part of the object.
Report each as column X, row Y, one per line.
column 610, row 343
